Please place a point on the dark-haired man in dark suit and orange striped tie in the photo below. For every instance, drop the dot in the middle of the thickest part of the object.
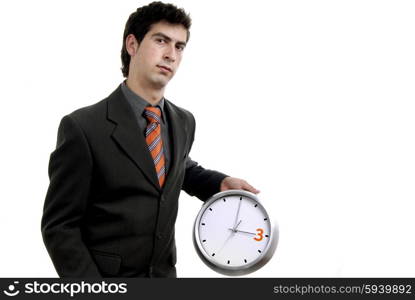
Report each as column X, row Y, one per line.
column 119, row 165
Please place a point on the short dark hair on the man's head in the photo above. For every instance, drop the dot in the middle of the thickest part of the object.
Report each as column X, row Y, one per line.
column 140, row 22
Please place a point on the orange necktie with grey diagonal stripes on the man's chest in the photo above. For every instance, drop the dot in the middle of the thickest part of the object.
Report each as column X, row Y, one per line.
column 154, row 141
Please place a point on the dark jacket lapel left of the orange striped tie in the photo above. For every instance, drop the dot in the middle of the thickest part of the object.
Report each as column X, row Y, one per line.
column 128, row 136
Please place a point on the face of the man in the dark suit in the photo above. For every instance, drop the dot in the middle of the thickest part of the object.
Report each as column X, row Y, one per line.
column 158, row 55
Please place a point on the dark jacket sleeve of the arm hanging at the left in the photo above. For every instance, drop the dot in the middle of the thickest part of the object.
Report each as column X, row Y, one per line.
column 70, row 169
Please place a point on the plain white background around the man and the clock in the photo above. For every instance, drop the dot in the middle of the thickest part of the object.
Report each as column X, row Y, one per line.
column 310, row 101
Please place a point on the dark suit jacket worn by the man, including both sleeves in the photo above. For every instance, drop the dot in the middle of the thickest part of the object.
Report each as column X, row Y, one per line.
column 104, row 212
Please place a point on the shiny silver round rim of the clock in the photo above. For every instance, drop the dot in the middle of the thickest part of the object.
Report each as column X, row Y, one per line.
column 240, row 270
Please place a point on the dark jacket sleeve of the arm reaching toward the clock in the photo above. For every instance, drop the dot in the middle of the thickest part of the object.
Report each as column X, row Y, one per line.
column 198, row 181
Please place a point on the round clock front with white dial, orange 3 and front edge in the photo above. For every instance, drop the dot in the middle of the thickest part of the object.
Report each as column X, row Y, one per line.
column 233, row 231
